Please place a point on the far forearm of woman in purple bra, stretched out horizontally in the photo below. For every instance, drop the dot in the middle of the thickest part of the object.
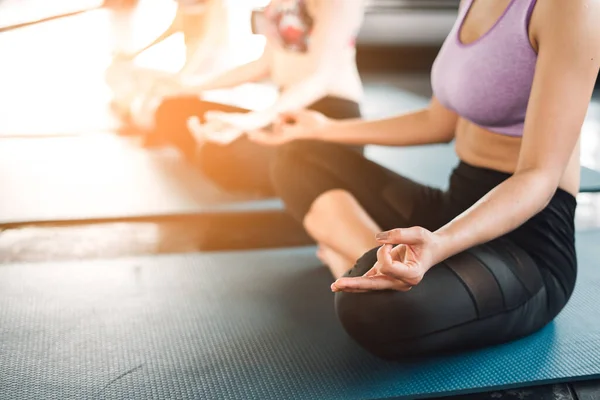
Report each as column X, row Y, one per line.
column 414, row 128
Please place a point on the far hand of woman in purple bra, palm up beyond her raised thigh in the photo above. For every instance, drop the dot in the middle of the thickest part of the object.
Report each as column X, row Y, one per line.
column 304, row 124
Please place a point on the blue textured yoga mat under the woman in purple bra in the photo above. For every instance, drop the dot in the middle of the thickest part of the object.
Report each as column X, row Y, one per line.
column 245, row 325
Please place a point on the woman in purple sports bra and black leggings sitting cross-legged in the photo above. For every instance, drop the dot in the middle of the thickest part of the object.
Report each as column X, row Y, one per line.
column 491, row 259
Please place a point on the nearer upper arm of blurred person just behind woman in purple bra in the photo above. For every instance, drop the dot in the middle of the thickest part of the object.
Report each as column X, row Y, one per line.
column 336, row 24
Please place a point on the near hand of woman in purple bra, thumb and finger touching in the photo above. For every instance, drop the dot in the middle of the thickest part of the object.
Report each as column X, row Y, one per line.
column 402, row 261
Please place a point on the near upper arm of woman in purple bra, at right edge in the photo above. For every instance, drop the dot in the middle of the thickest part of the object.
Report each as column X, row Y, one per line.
column 567, row 66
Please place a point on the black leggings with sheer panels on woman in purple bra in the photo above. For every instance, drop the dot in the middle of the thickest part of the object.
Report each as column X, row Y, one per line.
column 490, row 294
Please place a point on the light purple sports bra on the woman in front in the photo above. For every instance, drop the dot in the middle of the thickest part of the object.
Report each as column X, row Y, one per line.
column 488, row 81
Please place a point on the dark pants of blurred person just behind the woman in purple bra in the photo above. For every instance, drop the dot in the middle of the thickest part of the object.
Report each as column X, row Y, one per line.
column 242, row 165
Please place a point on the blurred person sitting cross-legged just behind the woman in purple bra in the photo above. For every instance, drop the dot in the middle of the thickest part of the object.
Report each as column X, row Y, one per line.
column 309, row 55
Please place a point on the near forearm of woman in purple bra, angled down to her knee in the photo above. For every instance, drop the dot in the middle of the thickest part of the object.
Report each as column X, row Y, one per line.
column 499, row 212
